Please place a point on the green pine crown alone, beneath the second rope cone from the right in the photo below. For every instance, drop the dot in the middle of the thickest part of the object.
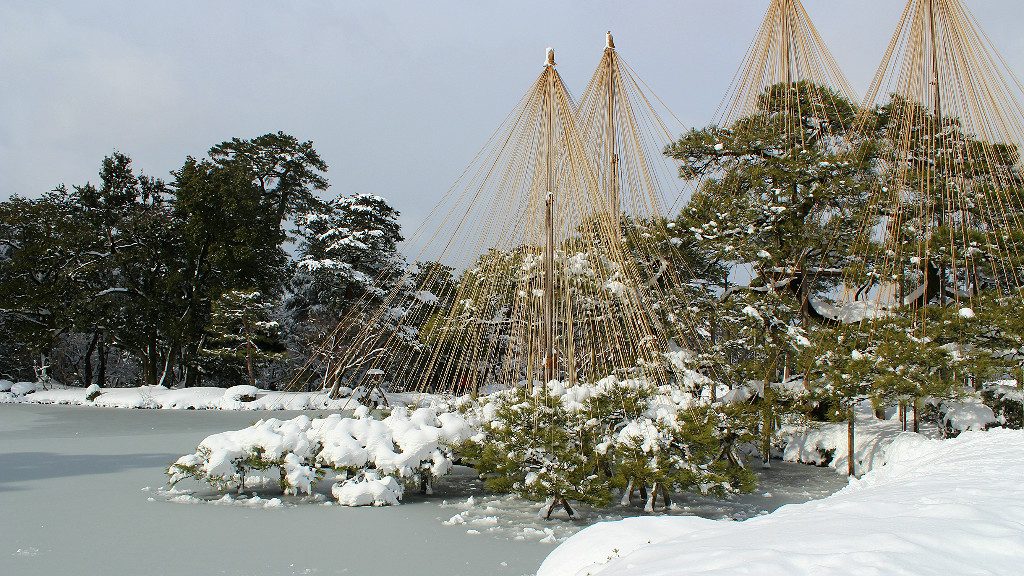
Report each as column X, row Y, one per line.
column 779, row 189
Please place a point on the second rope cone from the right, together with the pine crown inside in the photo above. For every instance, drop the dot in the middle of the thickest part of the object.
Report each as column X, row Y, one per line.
column 784, row 157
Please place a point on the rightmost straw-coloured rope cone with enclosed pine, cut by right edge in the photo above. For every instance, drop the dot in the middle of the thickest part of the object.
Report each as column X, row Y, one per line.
column 944, row 225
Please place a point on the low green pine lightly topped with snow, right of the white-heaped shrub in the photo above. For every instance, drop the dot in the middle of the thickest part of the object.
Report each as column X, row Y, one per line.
column 577, row 443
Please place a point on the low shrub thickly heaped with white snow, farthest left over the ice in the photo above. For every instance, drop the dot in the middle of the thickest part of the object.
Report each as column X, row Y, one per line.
column 366, row 454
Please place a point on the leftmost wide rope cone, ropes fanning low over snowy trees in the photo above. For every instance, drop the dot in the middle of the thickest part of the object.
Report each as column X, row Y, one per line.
column 523, row 273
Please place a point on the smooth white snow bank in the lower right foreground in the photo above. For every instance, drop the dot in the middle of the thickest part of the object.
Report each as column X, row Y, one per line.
column 954, row 507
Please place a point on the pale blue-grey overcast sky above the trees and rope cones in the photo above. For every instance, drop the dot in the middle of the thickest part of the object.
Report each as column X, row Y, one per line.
column 398, row 97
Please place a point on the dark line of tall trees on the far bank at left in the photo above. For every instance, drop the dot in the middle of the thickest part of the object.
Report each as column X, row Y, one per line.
column 226, row 273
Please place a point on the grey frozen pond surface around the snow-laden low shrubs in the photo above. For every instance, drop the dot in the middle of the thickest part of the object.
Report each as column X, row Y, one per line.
column 80, row 489
